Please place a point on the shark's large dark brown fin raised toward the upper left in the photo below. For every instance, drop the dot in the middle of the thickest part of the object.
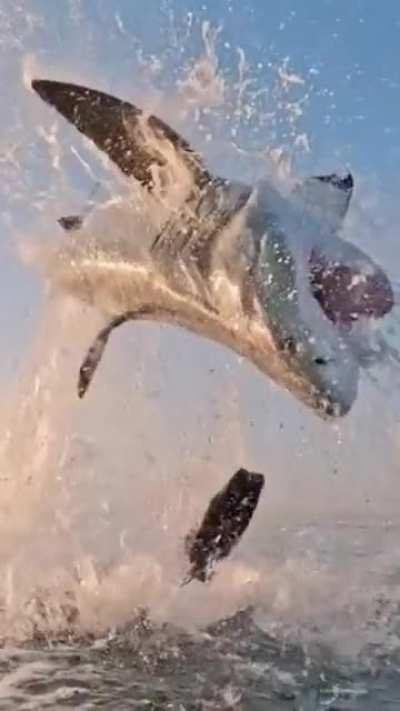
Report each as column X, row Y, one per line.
column 130, row 139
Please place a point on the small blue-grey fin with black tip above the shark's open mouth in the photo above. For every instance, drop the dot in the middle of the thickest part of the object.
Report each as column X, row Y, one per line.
column 328, row 196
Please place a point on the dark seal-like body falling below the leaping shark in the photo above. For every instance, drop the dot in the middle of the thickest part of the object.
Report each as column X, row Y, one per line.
column 226, row 519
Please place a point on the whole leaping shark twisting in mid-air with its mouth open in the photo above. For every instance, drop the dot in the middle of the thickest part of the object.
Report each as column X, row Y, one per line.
column 266, row 275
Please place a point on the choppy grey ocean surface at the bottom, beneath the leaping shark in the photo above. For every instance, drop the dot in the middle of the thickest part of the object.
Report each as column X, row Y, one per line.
column 342, row 656
